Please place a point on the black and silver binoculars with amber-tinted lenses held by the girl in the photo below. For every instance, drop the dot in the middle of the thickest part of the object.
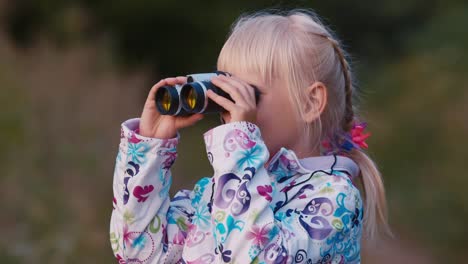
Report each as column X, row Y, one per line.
column 191, row 98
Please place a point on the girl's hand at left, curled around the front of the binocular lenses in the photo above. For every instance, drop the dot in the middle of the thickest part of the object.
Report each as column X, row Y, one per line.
column 155, row 125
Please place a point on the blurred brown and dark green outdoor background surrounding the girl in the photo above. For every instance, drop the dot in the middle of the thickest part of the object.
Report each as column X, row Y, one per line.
column 72, row 71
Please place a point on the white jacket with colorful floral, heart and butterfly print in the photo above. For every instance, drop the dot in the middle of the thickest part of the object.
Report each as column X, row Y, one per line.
column 292, row 211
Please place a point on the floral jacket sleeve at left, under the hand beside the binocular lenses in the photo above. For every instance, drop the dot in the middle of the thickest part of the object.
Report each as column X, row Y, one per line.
column 146, row 226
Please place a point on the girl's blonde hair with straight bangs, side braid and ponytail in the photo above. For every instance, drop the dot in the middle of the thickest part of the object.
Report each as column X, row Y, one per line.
column 294, row 47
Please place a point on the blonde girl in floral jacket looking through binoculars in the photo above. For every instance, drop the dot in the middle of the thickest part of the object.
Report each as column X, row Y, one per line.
column 285, row 170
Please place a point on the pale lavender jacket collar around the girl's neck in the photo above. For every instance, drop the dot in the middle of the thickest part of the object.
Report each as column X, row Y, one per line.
column 285, row 164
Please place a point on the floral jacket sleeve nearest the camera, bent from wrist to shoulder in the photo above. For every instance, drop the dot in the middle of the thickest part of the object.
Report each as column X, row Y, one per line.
column 315, row 225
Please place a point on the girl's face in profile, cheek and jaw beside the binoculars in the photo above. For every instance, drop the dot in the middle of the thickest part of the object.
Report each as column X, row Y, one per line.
column 275, row 115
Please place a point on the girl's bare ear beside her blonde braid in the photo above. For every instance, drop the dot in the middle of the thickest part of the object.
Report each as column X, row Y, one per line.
column 316, row 100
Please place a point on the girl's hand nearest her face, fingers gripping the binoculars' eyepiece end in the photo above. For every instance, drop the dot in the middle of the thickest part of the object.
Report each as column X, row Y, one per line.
column 244, row 107
